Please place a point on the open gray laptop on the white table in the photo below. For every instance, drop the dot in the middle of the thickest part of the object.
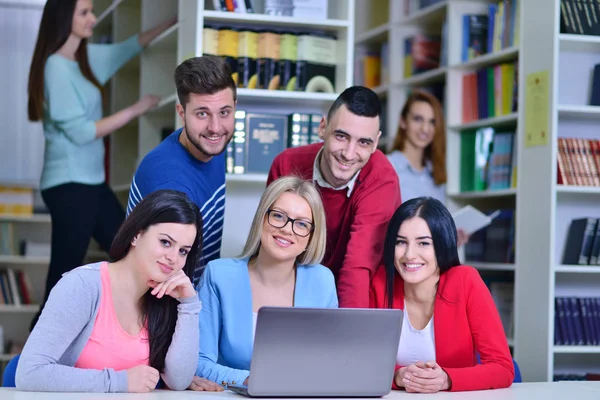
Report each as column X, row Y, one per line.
column 323, row 352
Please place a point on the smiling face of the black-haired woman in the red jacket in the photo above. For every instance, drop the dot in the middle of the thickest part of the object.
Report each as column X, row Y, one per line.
column 415, row 258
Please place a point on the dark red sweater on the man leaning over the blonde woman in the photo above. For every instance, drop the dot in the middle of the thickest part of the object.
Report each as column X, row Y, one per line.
column 356, row 225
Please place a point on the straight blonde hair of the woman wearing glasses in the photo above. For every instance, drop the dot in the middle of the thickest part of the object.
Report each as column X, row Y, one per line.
column 315, row 251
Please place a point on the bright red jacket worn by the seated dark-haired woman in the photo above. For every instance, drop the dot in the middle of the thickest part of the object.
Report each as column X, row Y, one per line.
column 465, row 321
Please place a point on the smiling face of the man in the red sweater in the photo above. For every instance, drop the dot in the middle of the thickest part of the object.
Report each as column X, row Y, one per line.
column 349, row 141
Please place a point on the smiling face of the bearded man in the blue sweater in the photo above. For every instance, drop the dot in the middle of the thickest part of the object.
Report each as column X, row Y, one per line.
column 208, row 123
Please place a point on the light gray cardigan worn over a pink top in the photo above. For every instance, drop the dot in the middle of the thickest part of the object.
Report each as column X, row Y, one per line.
column 53, row 347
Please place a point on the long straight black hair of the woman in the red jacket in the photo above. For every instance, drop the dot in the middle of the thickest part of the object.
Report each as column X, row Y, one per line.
column 443, row 234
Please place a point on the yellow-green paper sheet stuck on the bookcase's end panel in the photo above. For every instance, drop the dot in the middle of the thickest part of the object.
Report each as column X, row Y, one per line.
column 537, row 105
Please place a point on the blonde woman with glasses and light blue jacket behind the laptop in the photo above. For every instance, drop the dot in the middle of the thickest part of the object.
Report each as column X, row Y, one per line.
column 280, row 266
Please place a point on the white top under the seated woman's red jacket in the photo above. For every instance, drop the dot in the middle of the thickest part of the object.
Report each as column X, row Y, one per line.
column 415, row 345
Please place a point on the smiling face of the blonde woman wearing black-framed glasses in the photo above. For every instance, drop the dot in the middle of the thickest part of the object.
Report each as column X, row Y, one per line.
column 282, row 244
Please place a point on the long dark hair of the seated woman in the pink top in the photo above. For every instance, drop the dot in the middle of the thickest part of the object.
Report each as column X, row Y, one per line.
column 160, row 315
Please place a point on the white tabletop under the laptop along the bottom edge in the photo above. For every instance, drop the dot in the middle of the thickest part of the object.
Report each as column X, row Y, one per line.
column 519, row 391
